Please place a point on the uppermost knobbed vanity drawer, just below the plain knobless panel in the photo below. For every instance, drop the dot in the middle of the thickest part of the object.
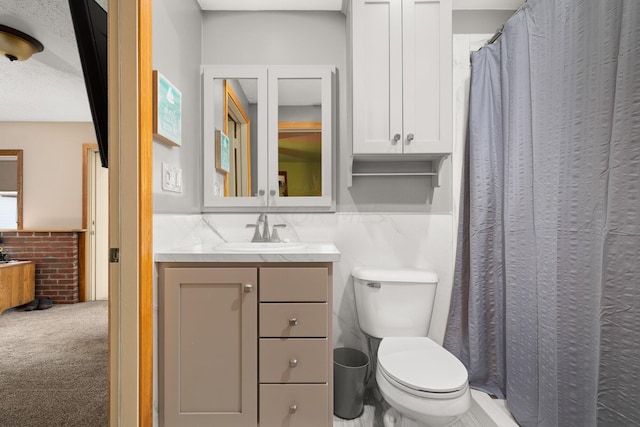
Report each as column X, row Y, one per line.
column 294, row 320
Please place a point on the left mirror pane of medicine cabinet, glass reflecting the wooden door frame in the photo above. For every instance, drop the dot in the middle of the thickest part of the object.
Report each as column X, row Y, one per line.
column 236, row 100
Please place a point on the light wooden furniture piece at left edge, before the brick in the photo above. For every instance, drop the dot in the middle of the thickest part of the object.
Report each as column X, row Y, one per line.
column 17, row 284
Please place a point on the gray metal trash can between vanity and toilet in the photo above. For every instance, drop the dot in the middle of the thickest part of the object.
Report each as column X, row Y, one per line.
column 350, row 374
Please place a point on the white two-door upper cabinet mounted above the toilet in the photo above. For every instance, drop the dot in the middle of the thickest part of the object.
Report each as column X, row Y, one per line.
column 402, row 66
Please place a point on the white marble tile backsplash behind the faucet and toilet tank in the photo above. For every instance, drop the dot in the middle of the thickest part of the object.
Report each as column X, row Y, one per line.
column 364, row 239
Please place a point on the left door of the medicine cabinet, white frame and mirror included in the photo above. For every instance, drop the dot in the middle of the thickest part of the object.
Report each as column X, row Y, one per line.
column 235, row 123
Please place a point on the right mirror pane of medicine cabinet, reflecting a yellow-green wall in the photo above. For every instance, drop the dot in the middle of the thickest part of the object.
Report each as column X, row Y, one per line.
column 299, row 137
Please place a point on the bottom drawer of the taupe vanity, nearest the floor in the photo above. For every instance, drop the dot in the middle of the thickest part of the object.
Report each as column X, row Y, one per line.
column 294, row 405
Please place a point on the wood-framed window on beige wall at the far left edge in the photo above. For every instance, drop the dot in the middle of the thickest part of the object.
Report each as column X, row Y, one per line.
column 10, row 189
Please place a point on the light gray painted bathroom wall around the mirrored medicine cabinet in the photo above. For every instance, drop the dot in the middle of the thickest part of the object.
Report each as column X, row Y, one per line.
column 185, row 38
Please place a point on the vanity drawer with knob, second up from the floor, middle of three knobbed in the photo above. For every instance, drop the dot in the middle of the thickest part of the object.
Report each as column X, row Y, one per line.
column 300, row 360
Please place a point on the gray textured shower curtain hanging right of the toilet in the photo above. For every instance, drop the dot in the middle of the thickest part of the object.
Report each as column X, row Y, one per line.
column 546, row 301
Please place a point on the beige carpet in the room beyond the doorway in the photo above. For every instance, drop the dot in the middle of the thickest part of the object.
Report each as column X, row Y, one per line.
column 54, row 366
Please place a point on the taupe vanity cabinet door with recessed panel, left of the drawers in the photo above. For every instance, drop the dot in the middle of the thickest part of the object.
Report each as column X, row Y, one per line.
column 208, row 345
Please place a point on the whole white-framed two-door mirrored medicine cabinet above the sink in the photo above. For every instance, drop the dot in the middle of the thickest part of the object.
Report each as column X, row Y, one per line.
column 268, row 138
